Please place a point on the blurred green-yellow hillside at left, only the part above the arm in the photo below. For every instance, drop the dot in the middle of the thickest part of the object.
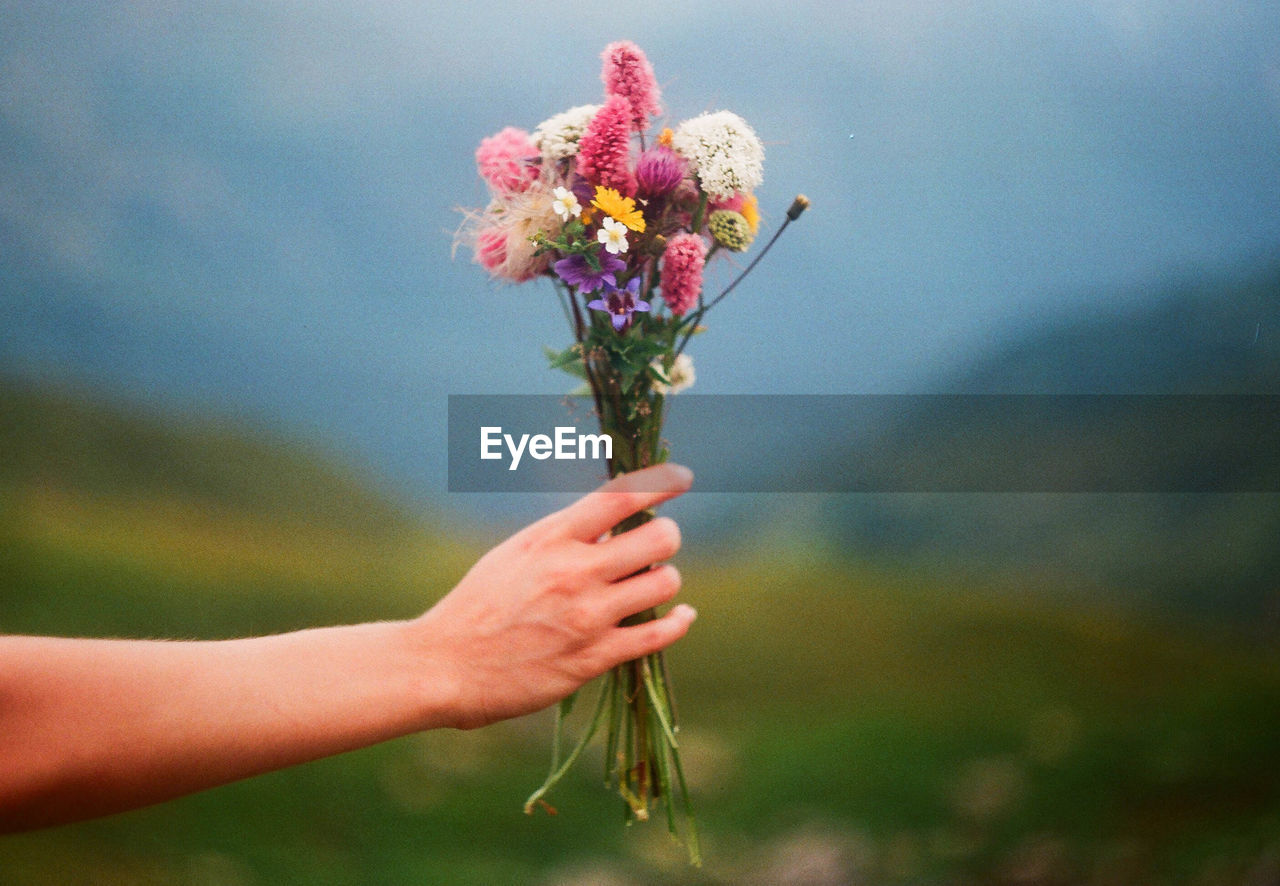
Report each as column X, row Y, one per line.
column 111, row 511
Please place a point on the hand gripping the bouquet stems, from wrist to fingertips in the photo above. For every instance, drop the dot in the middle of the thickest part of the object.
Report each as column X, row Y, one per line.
column 540, row 615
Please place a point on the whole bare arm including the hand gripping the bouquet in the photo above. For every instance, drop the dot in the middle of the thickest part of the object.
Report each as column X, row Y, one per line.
column 90, row 727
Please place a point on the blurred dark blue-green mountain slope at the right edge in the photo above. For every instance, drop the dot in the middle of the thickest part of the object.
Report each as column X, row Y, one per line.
column 1176, row 519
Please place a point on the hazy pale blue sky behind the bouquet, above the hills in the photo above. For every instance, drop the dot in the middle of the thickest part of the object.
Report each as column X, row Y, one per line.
column 248, row 207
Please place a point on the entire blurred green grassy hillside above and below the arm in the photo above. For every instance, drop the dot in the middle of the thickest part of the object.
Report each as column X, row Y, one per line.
column 840, row 725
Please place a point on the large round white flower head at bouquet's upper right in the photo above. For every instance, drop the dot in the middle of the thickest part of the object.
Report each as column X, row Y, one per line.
column 724, row 152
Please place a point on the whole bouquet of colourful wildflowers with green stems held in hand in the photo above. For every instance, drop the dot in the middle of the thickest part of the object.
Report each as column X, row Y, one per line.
column 624, row 222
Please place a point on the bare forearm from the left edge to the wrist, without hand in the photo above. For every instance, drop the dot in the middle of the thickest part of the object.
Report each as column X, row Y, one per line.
column 95, row 727
